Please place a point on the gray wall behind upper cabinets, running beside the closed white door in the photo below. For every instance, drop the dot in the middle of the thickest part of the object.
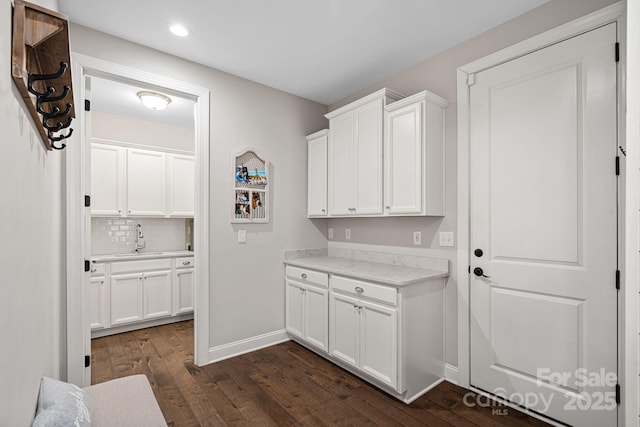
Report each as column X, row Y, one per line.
column 438, row 74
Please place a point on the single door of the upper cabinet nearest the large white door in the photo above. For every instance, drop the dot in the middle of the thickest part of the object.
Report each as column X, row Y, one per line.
column 403, row 160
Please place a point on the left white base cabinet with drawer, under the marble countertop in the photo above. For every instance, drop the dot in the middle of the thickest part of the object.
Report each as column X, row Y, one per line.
column 306, row 315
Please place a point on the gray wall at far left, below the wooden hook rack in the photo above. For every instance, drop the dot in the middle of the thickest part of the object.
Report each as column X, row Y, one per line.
column 32, row 293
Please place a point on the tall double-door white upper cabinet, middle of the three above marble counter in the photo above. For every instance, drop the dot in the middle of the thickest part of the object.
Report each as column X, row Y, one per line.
column 355, row 156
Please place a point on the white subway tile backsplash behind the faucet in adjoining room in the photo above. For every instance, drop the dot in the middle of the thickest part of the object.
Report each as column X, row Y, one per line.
column 117, row 235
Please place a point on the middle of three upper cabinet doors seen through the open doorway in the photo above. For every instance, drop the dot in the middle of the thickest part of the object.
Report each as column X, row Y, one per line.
column 146, row 183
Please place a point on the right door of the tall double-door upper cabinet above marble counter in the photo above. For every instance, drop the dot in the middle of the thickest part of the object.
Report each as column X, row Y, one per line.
column 368, row 159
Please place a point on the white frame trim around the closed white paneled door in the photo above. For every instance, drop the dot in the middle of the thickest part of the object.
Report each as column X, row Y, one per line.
column 612, row 13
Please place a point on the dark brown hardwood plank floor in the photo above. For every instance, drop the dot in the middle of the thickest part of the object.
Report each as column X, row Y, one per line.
column 285, row 384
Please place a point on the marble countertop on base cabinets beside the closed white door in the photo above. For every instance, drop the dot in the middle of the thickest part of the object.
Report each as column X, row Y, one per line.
column 396, row 275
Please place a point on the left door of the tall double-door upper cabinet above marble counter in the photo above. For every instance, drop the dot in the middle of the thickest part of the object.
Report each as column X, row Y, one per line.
column 340, row 169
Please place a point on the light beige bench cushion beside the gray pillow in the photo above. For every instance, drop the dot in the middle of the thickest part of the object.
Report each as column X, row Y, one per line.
column 125, row 402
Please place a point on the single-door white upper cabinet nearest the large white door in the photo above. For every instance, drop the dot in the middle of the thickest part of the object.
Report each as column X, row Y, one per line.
column 414, row 156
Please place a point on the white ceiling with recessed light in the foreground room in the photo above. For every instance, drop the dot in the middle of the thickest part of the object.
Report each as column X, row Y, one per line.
column 323, row 50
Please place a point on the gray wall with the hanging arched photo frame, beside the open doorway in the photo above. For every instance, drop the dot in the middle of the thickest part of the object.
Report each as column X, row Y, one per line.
column 246, row 288
